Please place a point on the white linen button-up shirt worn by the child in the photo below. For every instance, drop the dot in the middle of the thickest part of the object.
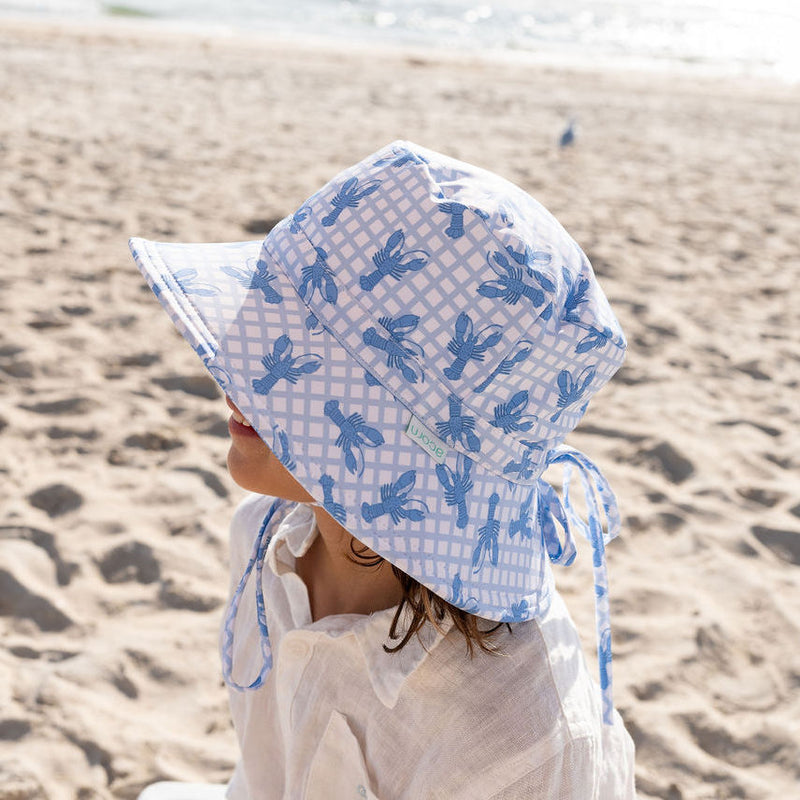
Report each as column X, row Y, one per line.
column 339, row 718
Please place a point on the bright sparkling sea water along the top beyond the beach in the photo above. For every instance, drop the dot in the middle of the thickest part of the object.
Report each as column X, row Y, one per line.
column 735, row 37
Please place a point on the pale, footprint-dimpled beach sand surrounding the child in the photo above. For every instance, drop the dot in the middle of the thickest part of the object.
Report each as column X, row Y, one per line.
column 113, row 492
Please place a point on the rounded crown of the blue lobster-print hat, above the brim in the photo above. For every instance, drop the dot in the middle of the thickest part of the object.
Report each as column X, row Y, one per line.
column 459, row 293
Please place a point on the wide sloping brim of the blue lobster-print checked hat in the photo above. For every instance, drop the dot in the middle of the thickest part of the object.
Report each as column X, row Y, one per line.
column 343, row 435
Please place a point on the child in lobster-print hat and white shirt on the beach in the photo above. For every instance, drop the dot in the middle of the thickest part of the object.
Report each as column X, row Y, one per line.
column 403, row 358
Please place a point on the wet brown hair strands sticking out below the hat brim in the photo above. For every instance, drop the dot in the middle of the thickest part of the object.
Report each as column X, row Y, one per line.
column 420, row 605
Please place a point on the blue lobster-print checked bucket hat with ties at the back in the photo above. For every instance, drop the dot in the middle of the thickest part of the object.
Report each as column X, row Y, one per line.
column 414, row 343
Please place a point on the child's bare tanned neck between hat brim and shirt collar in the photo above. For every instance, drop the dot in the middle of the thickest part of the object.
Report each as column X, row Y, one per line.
column 335, row 584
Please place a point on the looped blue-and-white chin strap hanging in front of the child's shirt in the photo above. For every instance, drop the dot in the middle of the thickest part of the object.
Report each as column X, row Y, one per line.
column 256, row 560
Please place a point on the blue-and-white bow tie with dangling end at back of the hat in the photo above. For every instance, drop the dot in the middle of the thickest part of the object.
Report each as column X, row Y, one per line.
column 594, row 486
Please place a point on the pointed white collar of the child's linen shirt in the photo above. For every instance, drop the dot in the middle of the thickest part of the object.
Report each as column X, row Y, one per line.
column 387, row 672
